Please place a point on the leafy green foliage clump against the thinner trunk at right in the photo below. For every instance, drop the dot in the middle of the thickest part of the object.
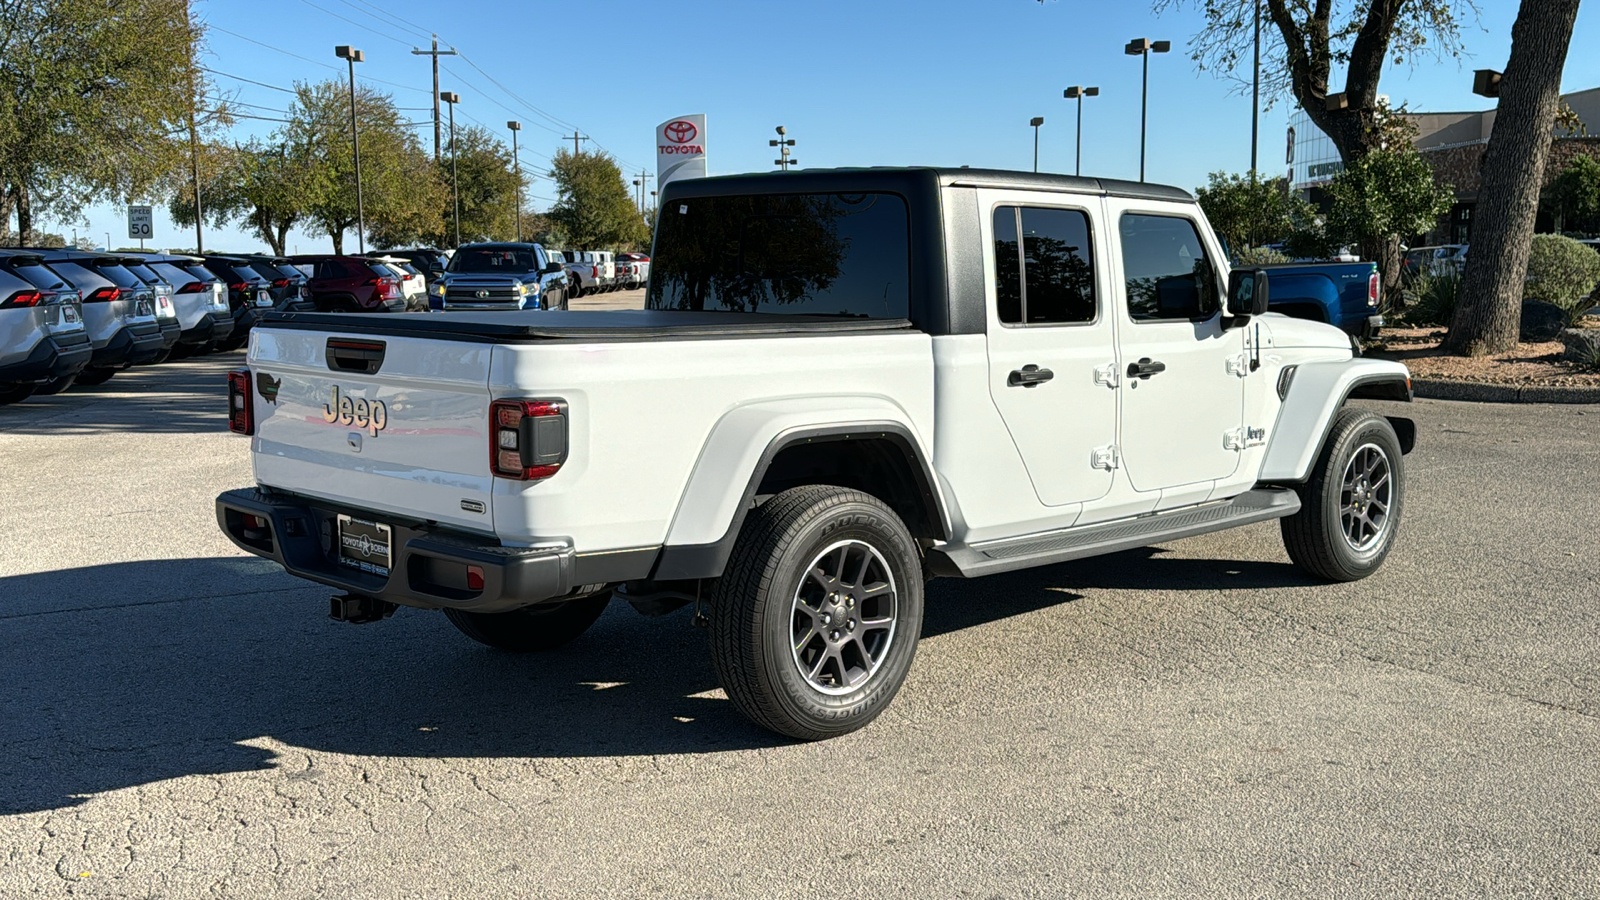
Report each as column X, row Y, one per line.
column 1383, row 195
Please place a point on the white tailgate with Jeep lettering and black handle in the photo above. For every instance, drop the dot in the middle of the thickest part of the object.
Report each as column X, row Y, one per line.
column 385, row 424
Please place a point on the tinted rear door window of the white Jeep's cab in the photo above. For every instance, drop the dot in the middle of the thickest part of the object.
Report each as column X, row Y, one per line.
column 1047, row 278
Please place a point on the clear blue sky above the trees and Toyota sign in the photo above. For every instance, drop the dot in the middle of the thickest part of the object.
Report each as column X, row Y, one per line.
column 865, row 82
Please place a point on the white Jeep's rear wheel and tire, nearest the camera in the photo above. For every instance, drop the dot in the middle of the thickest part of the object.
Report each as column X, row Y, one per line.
column 777, row 595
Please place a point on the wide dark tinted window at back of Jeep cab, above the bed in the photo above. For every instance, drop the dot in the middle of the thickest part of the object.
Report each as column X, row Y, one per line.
column 788, row 254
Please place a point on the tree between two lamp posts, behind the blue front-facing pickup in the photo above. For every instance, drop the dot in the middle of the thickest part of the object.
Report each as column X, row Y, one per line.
column 489, row 190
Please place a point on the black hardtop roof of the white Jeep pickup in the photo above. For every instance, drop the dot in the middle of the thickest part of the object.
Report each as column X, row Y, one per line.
column 825, row 180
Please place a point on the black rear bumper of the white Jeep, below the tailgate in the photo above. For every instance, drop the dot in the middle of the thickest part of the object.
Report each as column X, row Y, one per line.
column 428, row 566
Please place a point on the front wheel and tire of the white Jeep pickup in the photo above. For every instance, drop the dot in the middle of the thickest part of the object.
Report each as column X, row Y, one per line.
column 1353, row 504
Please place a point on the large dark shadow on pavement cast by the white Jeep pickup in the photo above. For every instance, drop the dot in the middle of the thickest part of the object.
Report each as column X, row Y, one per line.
column 135, row 673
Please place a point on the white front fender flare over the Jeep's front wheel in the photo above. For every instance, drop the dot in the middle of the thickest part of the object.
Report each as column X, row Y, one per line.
column 1316, row 392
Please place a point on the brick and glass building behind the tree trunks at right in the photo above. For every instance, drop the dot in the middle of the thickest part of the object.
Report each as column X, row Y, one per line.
column 1454, row 145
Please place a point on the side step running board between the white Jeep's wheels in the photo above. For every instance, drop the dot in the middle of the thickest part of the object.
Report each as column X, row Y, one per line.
column 1028, row 552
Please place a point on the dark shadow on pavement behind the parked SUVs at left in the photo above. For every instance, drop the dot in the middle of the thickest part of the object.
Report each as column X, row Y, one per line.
column 175, row 398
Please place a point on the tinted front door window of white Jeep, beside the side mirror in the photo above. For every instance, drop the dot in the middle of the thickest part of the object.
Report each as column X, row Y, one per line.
column 1167, row 270
